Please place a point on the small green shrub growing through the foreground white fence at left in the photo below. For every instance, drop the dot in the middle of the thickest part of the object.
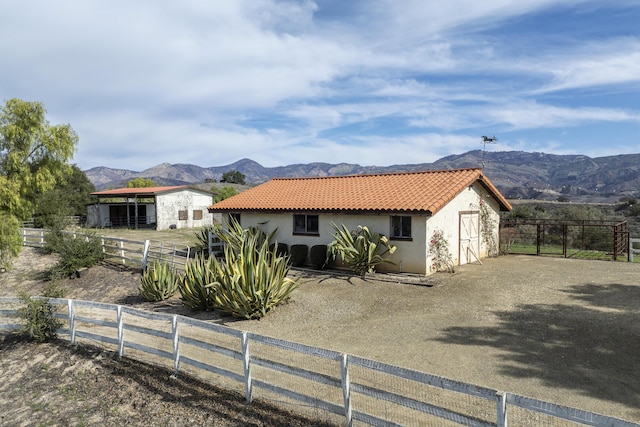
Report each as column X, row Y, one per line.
column 38, row 315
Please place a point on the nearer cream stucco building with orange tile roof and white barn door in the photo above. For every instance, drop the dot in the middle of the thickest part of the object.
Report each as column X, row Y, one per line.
column 462, row 206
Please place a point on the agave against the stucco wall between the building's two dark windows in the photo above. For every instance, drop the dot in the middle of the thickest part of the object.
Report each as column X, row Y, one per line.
column 360, row 249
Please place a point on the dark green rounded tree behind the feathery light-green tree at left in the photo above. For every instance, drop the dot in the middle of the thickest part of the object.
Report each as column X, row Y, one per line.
column 70, row 197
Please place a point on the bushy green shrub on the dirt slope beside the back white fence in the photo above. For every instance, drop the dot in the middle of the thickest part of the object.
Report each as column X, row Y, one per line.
column 75, row 252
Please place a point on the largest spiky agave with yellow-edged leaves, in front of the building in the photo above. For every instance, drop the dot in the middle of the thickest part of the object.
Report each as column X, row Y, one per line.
column 251, row 280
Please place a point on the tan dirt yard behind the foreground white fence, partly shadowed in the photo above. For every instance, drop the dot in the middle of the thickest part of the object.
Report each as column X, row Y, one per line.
column 560, row 330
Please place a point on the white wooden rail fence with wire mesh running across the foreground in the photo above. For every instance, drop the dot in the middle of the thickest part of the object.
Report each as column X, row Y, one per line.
column 351, row 389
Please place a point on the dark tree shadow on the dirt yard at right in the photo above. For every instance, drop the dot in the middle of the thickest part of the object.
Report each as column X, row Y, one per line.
column 591, row 347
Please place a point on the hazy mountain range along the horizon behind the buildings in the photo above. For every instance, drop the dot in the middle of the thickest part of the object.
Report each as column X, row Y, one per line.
column 517, row 174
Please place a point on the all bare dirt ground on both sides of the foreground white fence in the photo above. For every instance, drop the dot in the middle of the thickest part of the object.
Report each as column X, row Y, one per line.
column 560, row 330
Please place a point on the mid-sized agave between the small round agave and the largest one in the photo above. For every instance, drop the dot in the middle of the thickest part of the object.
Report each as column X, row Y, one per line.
column 194, row 287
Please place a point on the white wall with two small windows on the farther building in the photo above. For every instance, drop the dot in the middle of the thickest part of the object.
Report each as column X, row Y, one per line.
column 169, row 205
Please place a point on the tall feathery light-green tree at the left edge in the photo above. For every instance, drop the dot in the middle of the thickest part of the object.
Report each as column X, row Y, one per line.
column 34, row 157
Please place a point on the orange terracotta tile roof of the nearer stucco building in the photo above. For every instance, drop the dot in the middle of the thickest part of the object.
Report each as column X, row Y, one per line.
column 426, row 191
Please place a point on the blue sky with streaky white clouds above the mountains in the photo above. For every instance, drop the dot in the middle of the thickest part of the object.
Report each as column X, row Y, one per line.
column 374, row 82
